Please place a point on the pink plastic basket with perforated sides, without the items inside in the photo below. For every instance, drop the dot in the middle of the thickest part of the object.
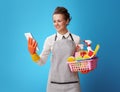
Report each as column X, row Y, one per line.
column 83, row 66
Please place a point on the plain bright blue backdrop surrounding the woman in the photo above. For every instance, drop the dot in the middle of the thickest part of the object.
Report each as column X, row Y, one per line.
column 97, row 20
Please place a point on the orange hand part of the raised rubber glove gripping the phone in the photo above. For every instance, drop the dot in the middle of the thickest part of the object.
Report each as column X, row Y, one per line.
column 32, row 44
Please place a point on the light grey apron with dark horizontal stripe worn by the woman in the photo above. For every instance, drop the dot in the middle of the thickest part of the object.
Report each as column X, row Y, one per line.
column 61, row 79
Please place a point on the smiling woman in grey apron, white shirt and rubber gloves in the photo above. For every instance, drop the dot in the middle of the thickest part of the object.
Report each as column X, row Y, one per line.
column 61, row 45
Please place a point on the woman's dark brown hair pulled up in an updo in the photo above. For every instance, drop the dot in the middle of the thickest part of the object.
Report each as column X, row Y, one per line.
column 64, row 11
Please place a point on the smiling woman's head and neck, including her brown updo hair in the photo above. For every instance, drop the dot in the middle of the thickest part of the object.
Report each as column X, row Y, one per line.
column 61, row 19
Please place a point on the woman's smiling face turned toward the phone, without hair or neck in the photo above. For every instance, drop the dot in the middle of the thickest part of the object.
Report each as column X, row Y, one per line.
column 59, row 22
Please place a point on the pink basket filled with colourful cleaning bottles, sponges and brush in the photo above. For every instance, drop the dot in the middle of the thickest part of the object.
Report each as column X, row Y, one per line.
column 84, row 61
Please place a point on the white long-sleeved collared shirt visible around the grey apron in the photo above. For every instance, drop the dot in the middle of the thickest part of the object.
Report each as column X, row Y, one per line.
column 48, row 45
